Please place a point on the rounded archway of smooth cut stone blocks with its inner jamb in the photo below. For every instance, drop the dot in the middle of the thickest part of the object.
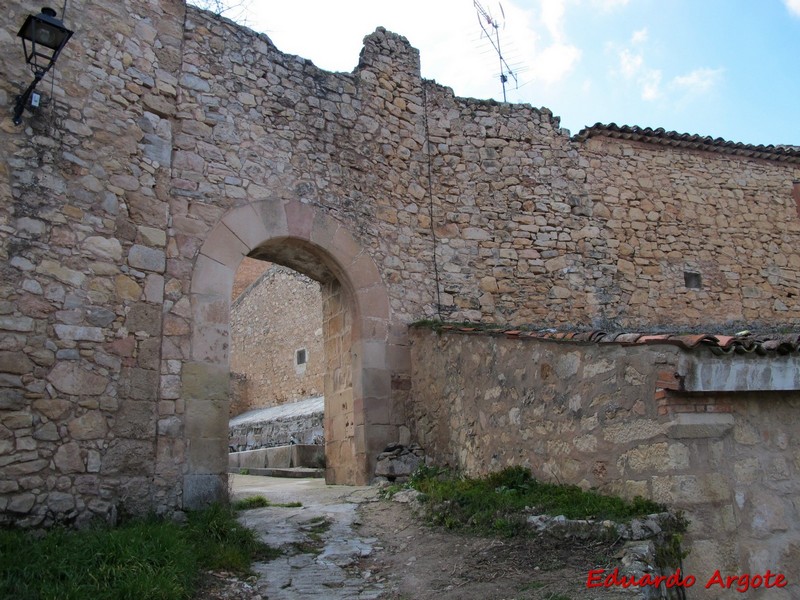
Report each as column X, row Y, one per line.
column 356, row 317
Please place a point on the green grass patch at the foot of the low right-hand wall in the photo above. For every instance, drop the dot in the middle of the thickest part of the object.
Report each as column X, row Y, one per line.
column 500, row 502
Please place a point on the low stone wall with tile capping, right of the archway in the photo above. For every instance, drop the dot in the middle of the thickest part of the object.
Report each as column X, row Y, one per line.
column 594, row 415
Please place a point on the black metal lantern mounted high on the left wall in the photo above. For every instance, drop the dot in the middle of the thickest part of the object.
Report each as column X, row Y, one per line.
column 43, row 38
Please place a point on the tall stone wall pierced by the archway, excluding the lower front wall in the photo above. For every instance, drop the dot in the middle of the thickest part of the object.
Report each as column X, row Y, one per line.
column 173, row 143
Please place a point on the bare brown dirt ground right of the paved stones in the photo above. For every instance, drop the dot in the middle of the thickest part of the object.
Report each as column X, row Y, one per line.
column 419, row 562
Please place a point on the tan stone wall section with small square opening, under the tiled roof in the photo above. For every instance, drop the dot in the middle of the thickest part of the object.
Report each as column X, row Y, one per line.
column 660, row 213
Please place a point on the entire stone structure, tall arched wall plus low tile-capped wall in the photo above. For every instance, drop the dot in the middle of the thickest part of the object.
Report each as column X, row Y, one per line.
column 174, row 144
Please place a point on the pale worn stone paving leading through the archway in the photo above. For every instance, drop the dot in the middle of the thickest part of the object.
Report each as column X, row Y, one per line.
column 322, row 550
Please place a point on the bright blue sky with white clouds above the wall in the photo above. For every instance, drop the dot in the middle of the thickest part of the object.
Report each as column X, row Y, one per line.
column 725, row 68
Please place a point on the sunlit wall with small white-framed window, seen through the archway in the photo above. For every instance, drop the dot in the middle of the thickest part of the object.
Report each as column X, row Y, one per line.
column 279, row 314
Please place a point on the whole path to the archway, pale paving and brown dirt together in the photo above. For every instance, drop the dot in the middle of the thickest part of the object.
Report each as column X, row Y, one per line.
column 345, row 543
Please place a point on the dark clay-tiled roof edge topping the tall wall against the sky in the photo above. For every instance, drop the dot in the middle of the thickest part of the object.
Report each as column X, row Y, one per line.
column 686, row 140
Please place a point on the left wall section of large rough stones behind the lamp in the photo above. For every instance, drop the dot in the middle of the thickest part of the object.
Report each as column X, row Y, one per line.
column 83, row 245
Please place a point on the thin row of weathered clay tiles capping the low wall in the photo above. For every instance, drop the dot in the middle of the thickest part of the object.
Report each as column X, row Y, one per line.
column 742, row 343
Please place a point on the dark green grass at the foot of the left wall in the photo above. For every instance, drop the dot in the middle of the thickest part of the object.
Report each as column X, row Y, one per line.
column 149, row 559
